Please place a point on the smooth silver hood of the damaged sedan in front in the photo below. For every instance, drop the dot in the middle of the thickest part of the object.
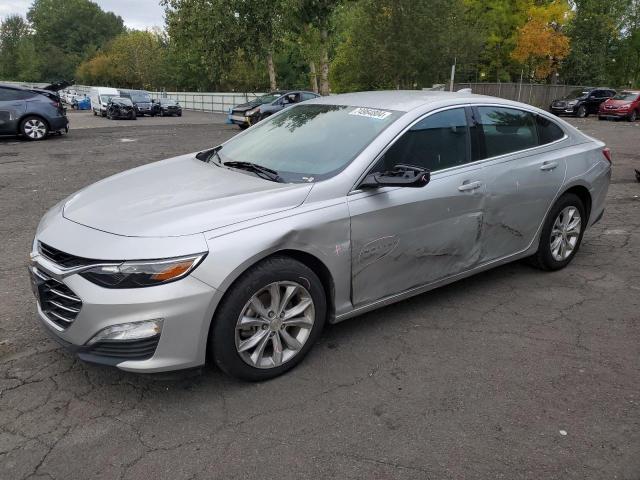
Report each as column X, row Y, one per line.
column 179, row 196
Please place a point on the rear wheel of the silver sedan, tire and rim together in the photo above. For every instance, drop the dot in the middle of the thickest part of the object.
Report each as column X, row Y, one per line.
column 548, row 258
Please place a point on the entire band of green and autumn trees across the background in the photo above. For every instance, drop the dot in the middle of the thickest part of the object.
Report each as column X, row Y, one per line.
column 349, row 45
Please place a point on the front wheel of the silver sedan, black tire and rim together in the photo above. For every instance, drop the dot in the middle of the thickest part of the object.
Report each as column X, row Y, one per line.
column 260, row 360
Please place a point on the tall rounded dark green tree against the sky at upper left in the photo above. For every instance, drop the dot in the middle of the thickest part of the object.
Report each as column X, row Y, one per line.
column 68, row 32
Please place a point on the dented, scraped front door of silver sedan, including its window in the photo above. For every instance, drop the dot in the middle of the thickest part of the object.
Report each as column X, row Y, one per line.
column 403, row 238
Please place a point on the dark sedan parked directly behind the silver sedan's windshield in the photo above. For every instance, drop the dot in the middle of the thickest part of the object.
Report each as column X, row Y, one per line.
column 252, row 112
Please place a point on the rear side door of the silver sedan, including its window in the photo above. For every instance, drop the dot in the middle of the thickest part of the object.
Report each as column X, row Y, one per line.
column 525, row 169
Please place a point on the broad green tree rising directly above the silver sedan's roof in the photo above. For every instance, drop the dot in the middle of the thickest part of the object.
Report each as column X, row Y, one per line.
column 413, row 44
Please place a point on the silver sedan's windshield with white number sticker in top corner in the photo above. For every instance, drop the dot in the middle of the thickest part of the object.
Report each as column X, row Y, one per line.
column 308, row 143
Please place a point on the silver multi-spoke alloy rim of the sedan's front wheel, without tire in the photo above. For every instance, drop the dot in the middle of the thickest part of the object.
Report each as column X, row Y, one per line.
column 274, row 324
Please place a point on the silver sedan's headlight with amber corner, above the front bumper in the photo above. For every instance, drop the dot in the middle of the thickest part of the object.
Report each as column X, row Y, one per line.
column 144, row 273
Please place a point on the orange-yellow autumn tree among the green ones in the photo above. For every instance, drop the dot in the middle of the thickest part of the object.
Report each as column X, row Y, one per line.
column 540, row 42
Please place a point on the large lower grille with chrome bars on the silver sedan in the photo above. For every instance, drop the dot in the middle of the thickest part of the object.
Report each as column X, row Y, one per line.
column 57, row 301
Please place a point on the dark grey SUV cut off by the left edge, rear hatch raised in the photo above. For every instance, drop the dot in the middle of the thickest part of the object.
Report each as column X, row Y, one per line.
column 31, row 112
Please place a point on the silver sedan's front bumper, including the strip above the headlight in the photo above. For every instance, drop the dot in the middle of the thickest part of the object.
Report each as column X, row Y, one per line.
column 185, row 307
